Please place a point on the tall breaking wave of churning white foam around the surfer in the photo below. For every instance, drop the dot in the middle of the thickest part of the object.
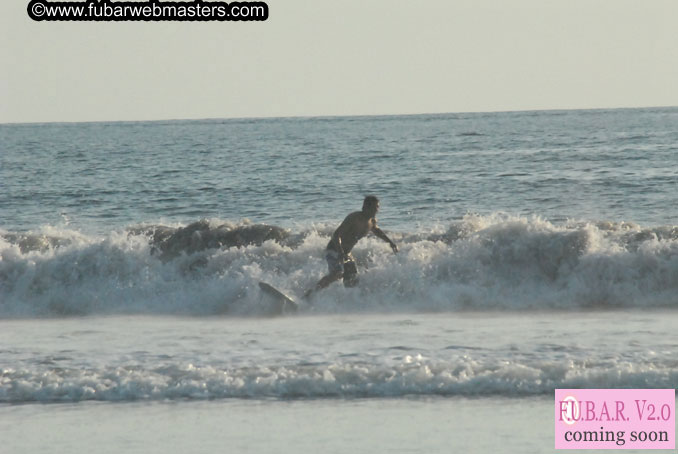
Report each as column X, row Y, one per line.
column 483, row 262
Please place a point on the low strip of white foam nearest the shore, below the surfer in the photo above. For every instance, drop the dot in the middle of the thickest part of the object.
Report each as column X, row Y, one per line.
column 413, row 375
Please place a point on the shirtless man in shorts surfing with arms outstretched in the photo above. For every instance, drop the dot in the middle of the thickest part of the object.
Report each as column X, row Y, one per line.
column 340, row 261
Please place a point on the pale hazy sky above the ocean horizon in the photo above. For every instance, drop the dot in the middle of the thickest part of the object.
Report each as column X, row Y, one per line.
column 343, row 57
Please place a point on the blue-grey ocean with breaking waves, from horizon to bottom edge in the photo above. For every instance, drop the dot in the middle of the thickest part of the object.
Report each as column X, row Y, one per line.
column 538, row 250
